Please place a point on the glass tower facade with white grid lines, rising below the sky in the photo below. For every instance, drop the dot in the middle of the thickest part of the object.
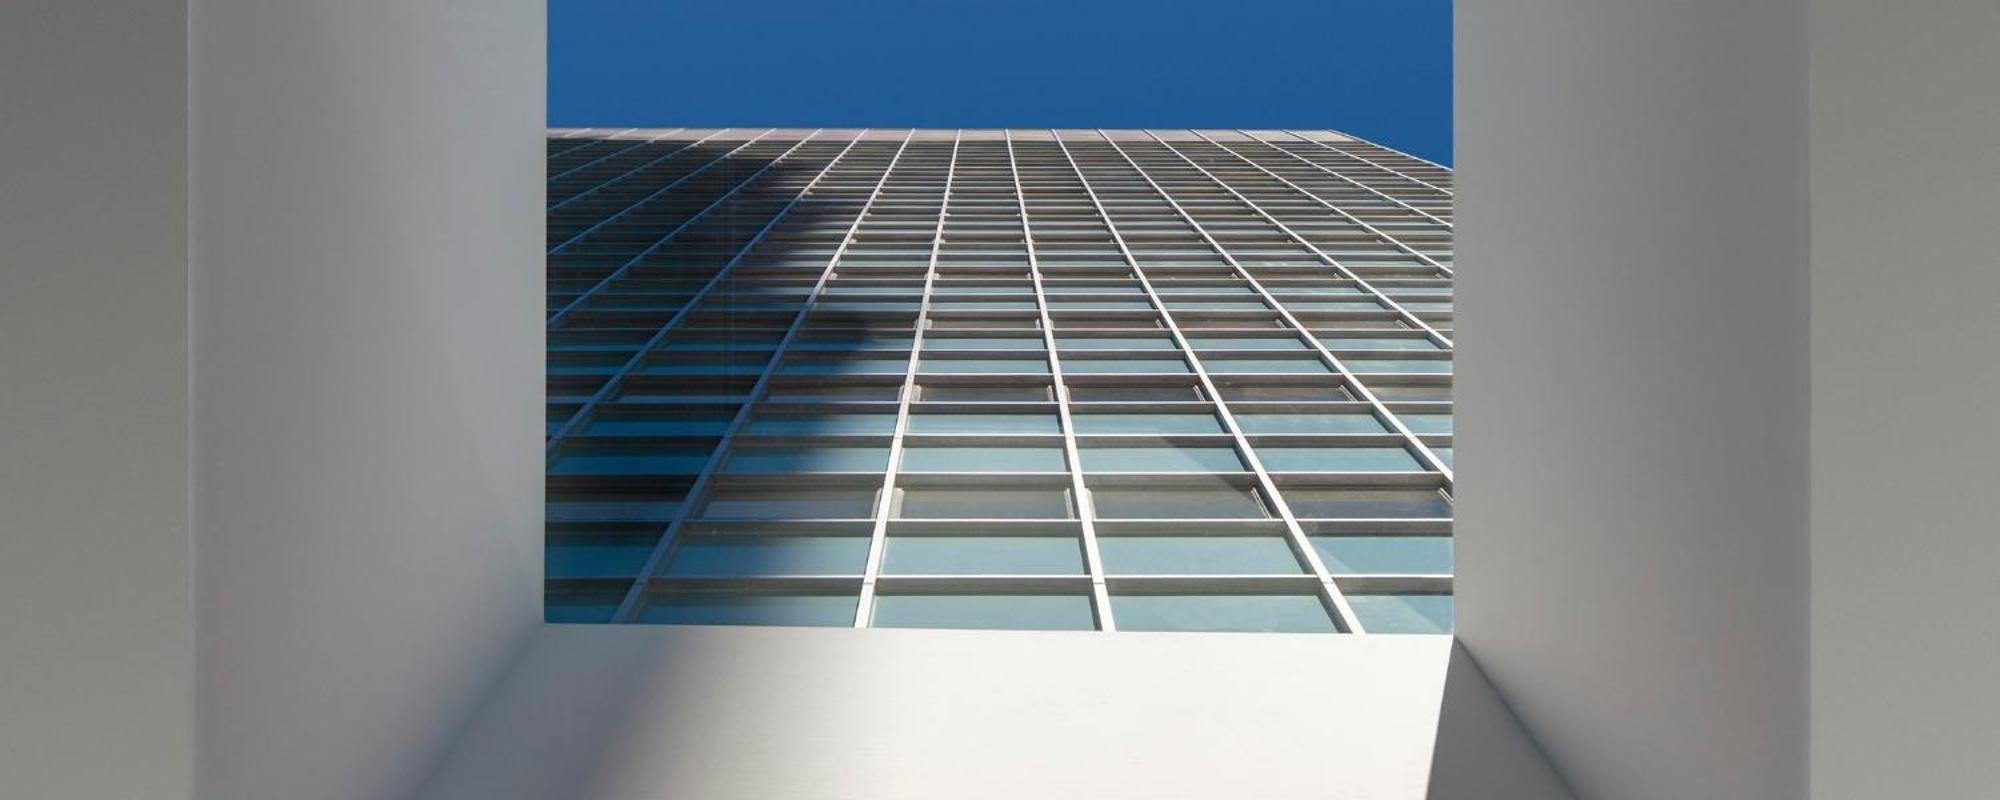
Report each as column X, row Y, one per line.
column 999, row 379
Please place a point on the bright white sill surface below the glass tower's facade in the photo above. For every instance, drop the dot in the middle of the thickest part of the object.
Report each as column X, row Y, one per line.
column 613, row 713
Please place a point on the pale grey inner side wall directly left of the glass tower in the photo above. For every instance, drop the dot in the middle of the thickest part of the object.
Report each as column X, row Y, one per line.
column 367, row 205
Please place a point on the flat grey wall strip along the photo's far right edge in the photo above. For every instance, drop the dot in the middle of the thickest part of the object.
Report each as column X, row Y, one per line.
column 1905, row 435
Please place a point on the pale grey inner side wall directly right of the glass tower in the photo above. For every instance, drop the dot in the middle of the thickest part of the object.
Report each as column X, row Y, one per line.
column 1633, row 533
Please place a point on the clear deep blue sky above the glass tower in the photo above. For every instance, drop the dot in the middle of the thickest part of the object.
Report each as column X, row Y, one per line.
column 1375, row 69
